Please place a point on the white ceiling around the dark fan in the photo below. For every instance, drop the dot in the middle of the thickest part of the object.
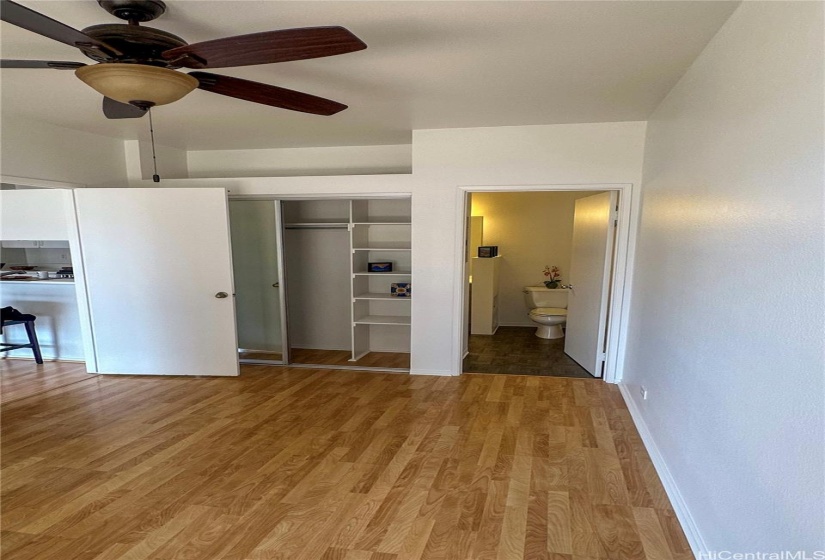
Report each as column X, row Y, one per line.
column 430, row 64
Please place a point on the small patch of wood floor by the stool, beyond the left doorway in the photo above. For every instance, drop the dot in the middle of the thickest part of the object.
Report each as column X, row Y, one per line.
column 23, row 378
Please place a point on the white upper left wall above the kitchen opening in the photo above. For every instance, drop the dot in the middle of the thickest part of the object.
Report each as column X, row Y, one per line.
column 38, row 150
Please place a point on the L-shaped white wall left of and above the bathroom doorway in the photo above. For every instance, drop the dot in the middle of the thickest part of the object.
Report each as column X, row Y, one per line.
column 444, row 160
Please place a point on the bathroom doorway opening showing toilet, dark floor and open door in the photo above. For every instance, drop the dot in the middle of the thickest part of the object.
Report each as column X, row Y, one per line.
column 515, row 243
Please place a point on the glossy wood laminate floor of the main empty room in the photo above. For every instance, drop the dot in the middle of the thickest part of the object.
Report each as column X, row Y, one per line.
column 296, row 463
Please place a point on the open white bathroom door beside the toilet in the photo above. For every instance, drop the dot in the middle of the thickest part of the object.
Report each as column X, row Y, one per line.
column 591, row 260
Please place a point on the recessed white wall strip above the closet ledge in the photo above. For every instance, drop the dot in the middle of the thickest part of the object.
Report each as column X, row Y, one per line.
column 335, row 160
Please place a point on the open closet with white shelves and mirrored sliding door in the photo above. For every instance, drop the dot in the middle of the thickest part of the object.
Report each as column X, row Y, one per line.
column 344, row 274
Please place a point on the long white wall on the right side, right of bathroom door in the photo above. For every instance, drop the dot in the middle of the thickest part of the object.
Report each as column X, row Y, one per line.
column 726, row 329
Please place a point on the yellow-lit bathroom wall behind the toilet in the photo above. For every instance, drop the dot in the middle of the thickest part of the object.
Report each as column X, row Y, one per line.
column 531, row 229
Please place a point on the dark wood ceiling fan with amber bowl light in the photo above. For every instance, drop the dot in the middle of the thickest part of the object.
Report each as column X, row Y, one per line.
column 137, row 66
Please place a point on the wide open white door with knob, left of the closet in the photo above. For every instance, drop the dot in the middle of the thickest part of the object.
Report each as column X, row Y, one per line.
column 158, row 274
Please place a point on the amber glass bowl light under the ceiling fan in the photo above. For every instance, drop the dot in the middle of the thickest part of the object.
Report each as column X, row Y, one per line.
column 129, row 83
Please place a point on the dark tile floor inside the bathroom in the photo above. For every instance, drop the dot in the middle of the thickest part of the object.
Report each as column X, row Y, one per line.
column 518, row 351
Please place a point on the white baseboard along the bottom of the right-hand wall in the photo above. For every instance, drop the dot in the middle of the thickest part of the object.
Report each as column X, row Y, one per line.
column 694, row 537
